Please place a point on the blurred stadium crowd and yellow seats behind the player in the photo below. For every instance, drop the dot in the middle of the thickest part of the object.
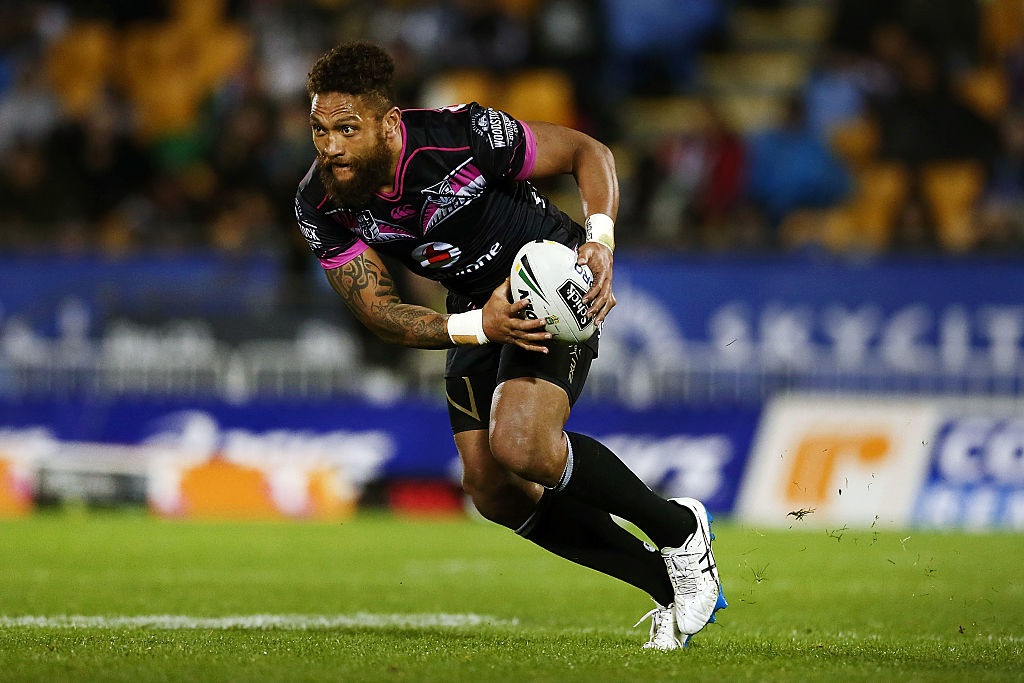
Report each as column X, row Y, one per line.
column 739, row 125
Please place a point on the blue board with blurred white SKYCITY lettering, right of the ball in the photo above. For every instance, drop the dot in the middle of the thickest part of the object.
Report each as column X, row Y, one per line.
column 924, row 316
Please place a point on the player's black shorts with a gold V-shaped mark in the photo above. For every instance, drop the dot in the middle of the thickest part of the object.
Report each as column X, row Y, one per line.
column 473, row 373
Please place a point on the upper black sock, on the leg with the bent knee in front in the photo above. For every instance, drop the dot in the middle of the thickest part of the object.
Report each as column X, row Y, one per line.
column 596, row 477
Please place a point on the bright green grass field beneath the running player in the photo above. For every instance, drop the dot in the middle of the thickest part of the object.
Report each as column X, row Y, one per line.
column 126, row 597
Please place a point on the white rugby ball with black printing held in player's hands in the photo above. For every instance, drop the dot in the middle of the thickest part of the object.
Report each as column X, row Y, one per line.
column 547, row 273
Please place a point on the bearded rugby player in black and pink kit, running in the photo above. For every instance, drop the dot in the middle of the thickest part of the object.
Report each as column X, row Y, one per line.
column 447, row 193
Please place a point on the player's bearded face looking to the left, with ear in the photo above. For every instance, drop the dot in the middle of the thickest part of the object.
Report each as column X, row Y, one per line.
column 356, row 158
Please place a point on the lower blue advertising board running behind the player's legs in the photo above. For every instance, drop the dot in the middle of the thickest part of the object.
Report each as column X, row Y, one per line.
column 677, row 452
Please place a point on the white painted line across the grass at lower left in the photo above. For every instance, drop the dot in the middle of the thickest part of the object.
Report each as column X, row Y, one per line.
column 257, row 622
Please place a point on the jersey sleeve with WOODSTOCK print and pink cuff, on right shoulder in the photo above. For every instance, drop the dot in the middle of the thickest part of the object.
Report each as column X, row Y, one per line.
column 503, row 146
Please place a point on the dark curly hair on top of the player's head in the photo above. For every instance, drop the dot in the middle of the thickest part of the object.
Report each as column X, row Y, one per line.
column 356, row 68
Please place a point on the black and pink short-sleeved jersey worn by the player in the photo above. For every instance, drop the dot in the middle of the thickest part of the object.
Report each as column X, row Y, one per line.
column 461, row 207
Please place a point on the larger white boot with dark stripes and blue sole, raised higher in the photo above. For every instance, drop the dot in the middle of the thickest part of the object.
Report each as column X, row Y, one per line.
column 694, row 575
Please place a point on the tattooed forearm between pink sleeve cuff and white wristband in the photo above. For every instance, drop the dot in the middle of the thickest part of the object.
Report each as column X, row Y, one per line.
column 370, row 293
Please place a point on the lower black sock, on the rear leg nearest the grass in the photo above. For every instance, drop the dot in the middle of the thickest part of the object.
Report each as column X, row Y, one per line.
column 589, row 537
